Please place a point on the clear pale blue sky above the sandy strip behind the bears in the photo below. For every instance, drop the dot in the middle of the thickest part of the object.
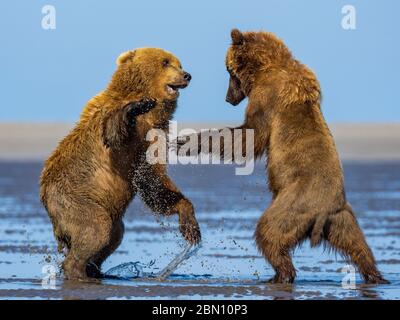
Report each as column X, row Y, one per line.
column 48, row 75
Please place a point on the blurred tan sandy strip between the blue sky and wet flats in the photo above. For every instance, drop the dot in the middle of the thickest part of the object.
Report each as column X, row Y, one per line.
column 363, row 142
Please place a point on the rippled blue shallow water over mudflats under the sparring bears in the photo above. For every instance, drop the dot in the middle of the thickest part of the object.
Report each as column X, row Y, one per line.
column 227, row 266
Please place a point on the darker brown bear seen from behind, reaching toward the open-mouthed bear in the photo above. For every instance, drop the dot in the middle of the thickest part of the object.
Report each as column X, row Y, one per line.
column 304, row 171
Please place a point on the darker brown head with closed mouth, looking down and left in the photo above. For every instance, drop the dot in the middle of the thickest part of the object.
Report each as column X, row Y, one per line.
column 250, row 54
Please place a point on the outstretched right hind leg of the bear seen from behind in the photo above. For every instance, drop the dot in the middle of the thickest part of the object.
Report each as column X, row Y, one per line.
column 344, row 234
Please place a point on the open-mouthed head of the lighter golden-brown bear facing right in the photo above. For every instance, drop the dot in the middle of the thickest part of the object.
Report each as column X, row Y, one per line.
column 149, row 72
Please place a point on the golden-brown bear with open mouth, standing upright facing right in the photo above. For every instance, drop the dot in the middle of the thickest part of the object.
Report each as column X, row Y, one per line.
column 92, row 176
